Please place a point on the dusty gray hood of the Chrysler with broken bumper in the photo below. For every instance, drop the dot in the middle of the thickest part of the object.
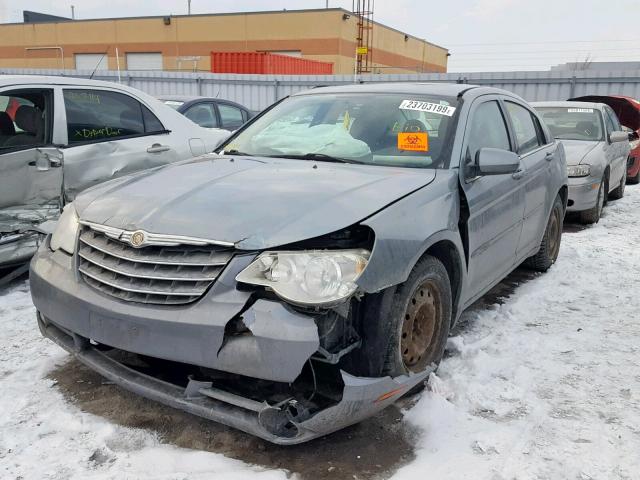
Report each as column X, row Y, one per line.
column 252, row 202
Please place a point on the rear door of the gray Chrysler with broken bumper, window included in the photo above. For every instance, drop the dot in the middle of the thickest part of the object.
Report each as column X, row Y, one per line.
column 536, row 156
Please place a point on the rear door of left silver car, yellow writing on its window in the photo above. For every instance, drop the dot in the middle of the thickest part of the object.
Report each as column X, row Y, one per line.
column 110, row 134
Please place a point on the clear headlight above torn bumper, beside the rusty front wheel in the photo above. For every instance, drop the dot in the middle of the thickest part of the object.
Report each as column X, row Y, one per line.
column 309, row 277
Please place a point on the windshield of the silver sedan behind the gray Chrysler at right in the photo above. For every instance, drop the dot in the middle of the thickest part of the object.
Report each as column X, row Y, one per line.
column 571, row 123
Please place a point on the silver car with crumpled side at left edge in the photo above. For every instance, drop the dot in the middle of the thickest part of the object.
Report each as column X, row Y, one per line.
column 59, row 136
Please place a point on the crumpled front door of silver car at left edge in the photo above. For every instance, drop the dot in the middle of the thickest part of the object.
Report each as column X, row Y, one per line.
column 30, row 165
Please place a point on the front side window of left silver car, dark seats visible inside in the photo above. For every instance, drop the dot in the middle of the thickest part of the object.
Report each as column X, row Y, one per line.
column 25, row 119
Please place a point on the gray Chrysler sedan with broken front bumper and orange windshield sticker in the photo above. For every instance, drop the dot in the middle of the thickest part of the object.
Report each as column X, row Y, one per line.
column 308, row 275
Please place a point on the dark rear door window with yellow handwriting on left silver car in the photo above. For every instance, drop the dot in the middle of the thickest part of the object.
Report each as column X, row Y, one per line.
column 96, row 115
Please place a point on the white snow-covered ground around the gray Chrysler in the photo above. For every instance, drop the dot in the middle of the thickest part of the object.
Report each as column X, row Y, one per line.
column 543, row 386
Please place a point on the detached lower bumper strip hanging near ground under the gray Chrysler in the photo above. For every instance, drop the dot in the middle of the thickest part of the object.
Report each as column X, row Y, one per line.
column 362, row 397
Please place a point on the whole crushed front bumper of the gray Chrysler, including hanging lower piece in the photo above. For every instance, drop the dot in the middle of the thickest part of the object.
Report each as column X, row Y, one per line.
column 282, row 340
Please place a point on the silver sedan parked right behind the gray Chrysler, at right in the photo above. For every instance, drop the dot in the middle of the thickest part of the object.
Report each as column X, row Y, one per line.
column 597, row 150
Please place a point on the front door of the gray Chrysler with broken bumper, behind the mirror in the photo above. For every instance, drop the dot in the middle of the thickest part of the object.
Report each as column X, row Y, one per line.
column 495, row 202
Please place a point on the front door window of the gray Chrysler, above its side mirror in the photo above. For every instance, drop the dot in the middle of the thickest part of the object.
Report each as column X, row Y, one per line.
column 488, row 130
